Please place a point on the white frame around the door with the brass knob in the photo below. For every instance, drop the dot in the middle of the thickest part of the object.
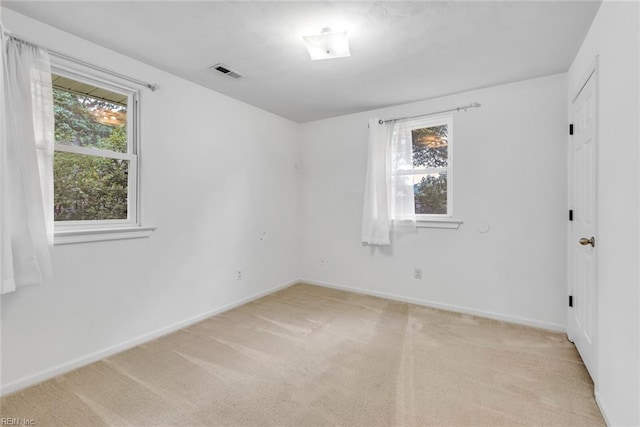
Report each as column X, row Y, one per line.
column 592, row 71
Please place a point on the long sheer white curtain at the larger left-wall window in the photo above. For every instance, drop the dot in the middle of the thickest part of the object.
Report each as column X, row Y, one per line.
column 26, row 164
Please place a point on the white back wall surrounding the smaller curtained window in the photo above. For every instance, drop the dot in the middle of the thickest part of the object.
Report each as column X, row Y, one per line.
column 510, row 172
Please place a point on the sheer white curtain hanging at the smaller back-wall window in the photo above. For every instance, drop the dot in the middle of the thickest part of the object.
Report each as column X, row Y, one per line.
column 388, row 196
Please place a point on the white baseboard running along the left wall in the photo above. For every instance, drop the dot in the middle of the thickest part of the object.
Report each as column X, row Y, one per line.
column 94, row 357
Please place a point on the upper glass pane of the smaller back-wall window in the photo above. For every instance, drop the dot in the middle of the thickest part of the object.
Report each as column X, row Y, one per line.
column 430, row 146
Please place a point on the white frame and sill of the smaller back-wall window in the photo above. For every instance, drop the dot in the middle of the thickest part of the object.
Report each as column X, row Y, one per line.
column 437, row 220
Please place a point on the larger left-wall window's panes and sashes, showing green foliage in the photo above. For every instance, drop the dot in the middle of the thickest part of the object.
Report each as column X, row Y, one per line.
column 94, row 160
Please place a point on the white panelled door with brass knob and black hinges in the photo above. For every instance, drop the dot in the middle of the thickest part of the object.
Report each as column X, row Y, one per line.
column 582, row 324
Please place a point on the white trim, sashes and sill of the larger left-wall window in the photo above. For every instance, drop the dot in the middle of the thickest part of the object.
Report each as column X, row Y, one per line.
column 98, row 230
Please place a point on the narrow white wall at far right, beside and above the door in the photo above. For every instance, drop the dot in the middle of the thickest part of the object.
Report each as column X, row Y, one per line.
column 614, row 37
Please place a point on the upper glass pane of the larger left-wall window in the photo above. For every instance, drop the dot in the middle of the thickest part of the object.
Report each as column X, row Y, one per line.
column 89, row 116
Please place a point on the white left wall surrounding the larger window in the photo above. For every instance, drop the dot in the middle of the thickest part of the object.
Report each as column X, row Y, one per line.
column 216, row 174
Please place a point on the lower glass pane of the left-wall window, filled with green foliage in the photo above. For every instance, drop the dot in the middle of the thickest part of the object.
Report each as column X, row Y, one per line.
column 89, row 188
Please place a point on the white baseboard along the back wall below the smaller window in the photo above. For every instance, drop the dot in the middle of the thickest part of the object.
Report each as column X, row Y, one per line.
column 455, row 308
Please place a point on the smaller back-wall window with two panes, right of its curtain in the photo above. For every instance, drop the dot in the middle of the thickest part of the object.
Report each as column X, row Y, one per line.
column 431, row 141
